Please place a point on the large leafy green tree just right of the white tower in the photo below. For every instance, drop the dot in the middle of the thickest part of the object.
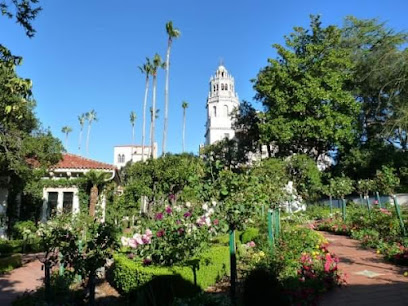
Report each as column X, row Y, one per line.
column 308, row 107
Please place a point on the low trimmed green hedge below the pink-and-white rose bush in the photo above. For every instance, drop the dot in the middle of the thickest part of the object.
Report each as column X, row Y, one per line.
column 131, row 277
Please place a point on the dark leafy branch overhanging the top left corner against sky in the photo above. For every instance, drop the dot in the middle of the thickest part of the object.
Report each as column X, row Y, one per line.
column 24, row 11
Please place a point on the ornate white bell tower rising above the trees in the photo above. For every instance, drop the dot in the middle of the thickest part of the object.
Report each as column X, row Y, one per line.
column 222, row 100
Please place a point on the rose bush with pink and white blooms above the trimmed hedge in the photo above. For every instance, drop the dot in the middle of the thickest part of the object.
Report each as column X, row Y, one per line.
column 176, row 233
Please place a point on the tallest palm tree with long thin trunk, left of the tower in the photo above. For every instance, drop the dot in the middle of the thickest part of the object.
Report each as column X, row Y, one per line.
column 172, row 33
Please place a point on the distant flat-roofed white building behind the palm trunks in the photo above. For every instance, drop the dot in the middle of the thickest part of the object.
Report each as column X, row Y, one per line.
column 133, row 153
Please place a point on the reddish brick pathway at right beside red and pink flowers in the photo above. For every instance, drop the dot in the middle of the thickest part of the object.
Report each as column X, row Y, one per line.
column 370, row 280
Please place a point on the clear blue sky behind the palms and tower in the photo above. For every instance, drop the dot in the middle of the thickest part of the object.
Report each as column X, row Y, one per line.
column 86, row 53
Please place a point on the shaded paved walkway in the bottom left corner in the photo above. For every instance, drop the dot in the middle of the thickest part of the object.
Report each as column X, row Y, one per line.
column 26, row 278
